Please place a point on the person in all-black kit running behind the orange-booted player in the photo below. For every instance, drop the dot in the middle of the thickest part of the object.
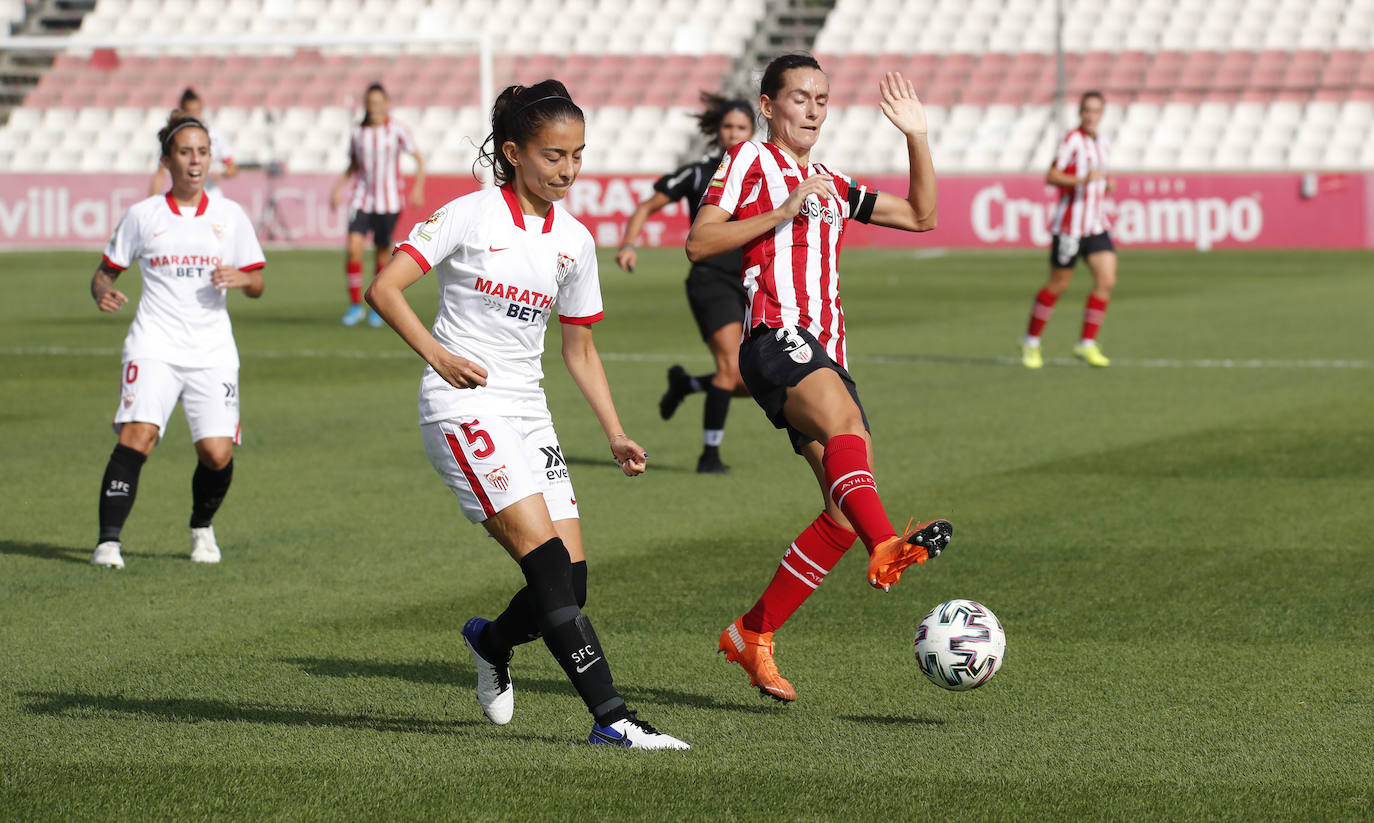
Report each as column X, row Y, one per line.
column 714, row 289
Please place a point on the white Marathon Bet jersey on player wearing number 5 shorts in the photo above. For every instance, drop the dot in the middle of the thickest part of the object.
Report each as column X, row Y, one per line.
column 501, row 274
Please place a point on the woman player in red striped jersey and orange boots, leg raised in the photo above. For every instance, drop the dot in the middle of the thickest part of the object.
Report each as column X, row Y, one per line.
column 789, row 215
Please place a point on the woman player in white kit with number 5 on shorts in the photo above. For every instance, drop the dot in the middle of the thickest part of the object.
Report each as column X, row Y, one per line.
column 505, row 259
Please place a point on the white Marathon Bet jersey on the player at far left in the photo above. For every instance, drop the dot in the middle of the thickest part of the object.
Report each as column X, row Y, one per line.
column 183, row 318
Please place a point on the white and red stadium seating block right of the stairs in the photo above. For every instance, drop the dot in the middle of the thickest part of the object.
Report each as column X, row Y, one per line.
column 1191, row 84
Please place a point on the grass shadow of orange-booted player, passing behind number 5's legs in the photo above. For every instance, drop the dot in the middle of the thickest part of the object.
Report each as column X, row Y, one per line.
column 464, row 677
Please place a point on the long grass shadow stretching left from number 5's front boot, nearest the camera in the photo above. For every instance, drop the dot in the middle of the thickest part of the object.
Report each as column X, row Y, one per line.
column 211, row 711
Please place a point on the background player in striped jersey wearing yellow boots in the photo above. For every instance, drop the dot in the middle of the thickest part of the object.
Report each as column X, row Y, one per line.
column 1081, row 233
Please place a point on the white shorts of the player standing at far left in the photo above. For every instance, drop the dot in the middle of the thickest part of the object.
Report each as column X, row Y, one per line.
column 150, row 390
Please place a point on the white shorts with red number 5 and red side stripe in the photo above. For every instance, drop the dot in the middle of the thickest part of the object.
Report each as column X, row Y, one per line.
column 493, row 462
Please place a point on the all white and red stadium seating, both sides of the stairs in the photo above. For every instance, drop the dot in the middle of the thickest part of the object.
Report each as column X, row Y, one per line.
column 1191, row 84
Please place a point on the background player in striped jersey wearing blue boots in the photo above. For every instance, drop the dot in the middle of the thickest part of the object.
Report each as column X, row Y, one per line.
column 374, row 164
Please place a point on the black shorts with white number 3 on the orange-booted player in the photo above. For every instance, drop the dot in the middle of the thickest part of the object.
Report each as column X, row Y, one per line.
column 773, row 361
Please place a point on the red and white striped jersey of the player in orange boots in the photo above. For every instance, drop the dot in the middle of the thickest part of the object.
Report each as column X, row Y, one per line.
column 792, row 274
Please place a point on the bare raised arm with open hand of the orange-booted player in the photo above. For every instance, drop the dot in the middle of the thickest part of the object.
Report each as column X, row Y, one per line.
column 919, row 211
